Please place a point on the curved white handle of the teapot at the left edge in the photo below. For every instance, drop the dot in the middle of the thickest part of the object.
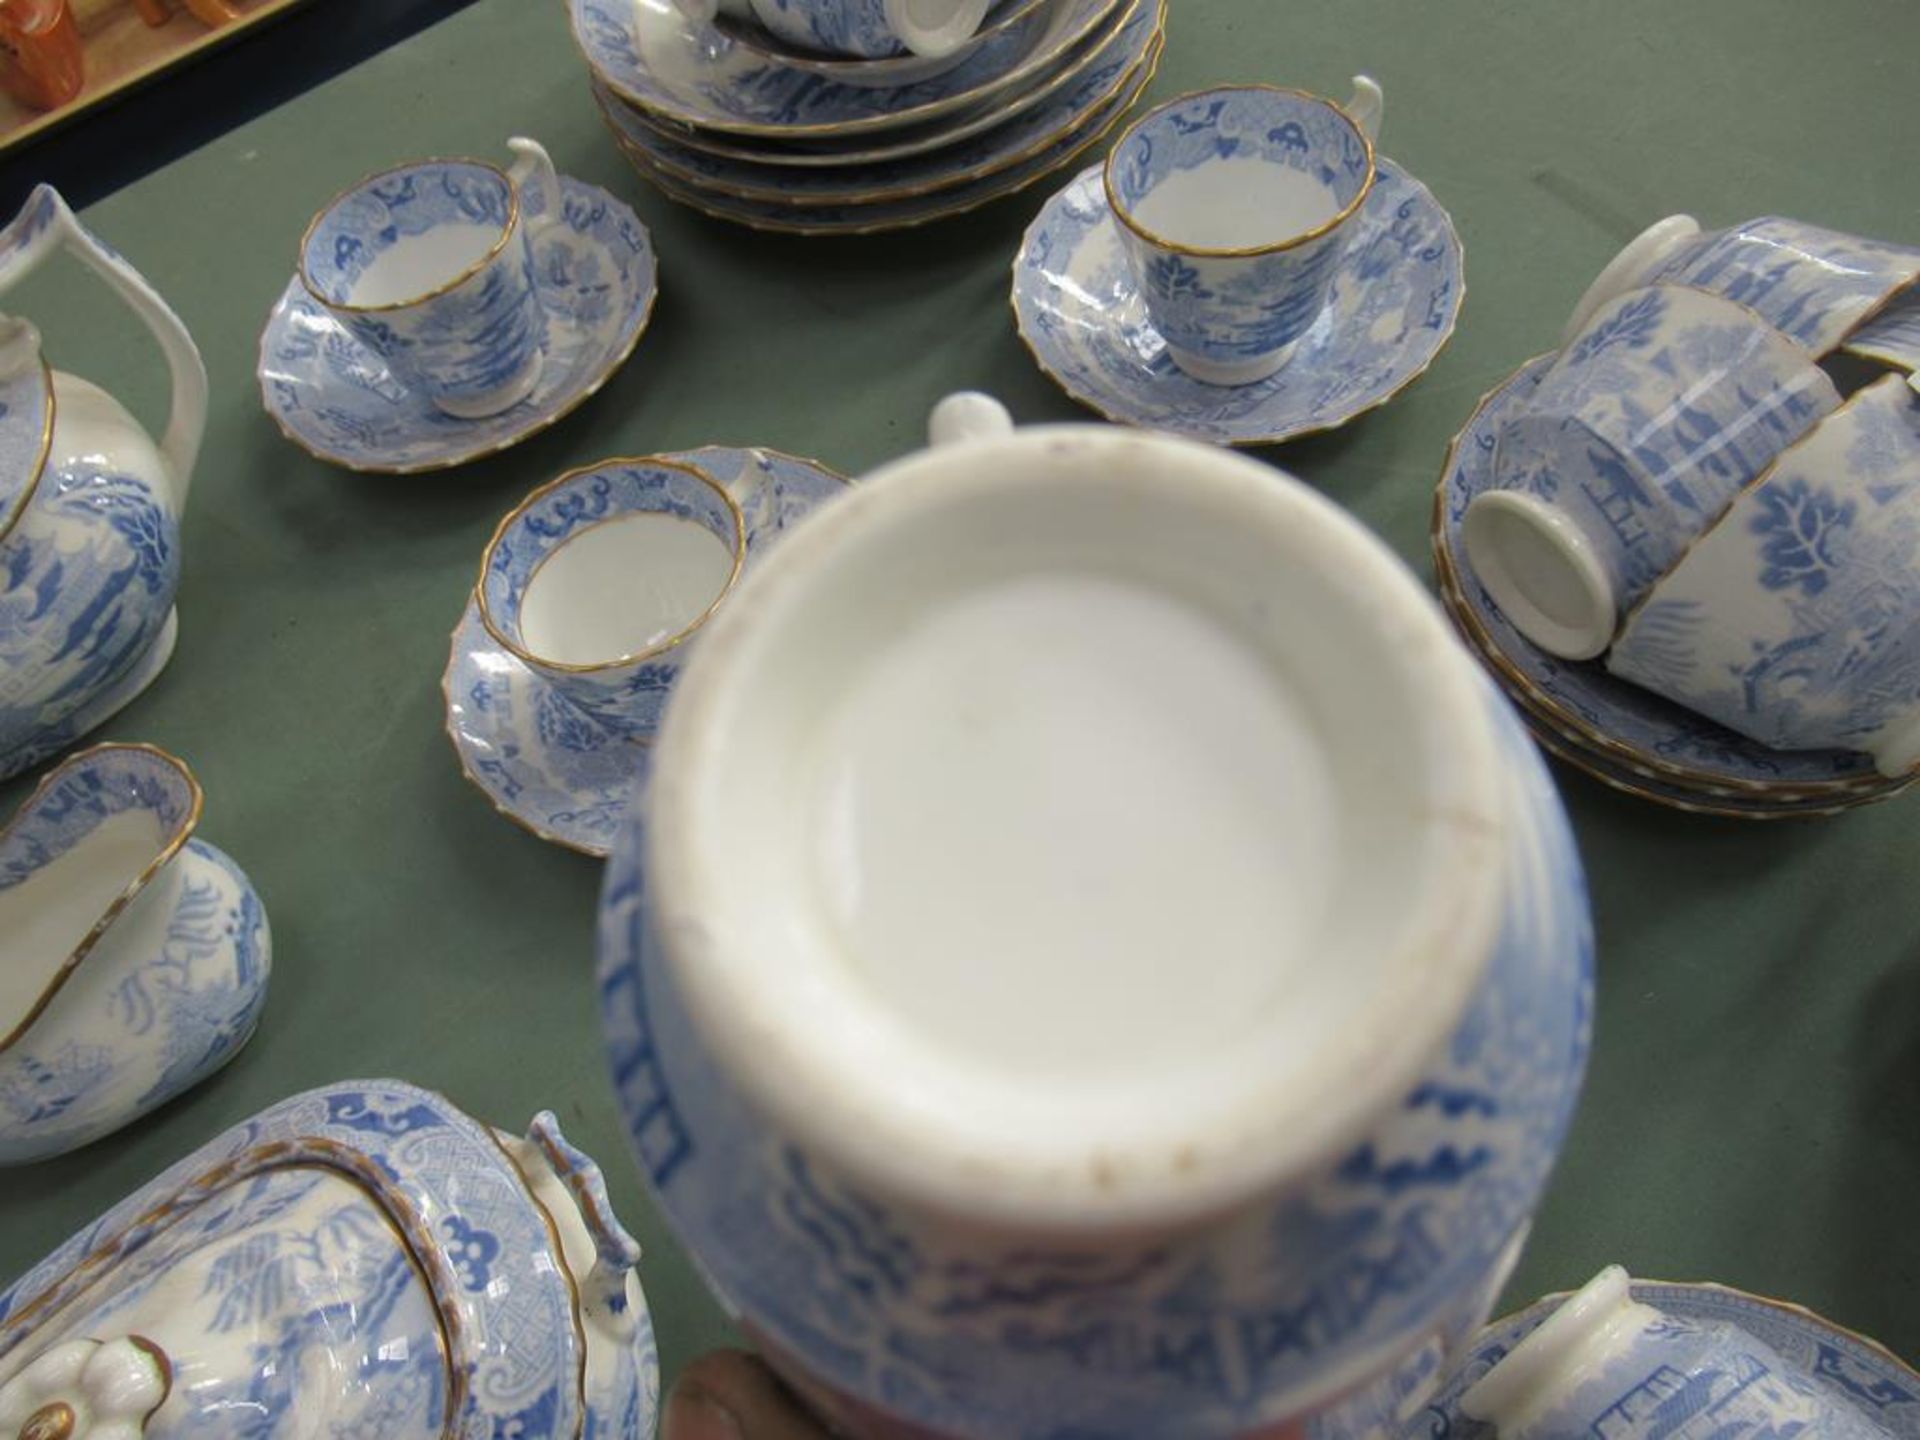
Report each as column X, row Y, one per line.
column 45, row 226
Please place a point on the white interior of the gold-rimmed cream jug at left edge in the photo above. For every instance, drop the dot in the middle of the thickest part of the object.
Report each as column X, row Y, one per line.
column 51, row 913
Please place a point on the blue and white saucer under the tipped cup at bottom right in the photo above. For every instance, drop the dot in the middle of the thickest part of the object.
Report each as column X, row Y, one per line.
column 1852, row 1368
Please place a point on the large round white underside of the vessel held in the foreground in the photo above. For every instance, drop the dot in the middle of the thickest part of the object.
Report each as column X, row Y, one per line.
column 1140, row 888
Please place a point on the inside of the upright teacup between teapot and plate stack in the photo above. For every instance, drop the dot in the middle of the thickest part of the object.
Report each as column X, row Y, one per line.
column 406, row 235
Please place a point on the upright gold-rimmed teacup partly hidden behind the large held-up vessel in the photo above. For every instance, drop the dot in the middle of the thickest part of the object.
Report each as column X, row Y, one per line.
column 602, row 577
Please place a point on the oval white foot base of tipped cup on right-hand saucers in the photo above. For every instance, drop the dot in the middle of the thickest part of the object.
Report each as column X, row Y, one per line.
column 1543, row 573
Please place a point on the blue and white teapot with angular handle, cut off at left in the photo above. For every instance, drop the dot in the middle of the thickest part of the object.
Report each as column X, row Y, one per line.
column 89, row 510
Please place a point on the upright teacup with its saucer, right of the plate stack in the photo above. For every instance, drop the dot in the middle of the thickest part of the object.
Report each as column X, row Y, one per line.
column 1347, row 287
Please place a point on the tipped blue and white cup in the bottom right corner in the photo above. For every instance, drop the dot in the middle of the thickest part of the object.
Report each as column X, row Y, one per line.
column 1606, row 1364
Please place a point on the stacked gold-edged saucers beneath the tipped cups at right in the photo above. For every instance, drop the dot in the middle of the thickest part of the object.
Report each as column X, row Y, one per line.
column 1620, row 732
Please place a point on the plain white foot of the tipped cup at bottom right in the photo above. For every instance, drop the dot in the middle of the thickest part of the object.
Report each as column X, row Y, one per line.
column 1570, row 1347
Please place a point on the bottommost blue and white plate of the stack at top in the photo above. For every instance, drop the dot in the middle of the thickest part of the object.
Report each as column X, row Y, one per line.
column 903, row 214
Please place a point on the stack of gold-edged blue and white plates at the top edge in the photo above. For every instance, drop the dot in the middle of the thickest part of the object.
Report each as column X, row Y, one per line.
column 734, row 124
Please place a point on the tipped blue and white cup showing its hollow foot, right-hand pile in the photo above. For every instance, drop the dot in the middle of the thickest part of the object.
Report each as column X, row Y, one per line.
column 1639, row 437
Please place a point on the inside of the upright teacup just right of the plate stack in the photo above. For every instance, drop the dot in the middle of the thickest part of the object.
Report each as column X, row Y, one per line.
column 1239, row 170
